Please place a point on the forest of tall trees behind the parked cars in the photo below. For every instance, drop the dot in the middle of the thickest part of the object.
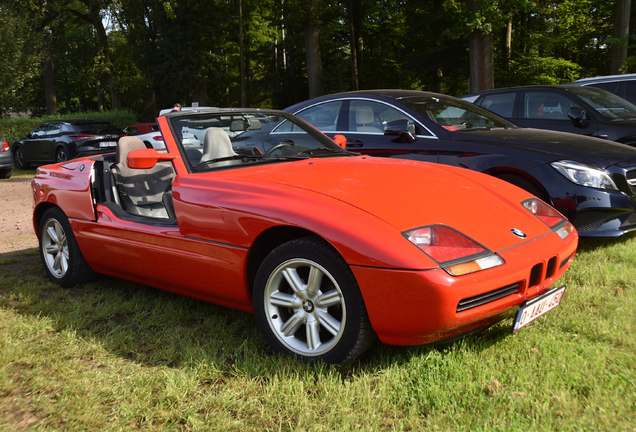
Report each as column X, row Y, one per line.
column 62, row 56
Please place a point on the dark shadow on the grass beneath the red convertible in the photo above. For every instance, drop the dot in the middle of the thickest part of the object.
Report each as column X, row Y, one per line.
column 155, row 327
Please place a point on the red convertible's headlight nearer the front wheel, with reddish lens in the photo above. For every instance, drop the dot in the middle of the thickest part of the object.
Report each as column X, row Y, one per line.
column 452, row 250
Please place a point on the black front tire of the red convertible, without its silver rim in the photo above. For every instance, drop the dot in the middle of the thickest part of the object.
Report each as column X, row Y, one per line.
column 320, row 252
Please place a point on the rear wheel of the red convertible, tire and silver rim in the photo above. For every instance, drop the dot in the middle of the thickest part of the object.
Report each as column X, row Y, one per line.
column 63, row 261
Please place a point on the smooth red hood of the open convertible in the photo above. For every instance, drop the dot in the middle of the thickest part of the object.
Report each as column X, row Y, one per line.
column 409, row 194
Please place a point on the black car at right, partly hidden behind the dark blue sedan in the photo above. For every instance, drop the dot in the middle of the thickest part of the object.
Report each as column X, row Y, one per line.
column 566, row 108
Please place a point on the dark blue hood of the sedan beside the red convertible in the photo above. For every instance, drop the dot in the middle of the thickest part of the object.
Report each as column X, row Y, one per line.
column 549, row 146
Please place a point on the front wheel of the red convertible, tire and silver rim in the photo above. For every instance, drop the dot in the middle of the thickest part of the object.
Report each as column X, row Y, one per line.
column 308, row 304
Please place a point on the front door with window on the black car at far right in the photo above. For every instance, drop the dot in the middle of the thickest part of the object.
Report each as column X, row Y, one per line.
column 544, row 109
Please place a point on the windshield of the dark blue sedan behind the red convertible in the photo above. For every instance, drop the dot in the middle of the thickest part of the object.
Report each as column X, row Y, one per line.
column 455, row 115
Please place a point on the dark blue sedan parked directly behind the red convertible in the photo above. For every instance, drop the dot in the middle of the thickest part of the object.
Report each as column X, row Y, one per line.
column 590, row 180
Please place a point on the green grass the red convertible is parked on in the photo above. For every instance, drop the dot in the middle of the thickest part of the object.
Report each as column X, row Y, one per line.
column 113, row 355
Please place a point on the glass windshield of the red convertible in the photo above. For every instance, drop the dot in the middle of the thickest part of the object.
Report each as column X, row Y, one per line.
column 234, row 138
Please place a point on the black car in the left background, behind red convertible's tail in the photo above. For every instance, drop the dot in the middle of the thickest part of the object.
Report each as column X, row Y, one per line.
column 61, row 140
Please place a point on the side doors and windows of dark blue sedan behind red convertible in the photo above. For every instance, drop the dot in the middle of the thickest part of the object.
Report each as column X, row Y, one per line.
column 364, row 121
